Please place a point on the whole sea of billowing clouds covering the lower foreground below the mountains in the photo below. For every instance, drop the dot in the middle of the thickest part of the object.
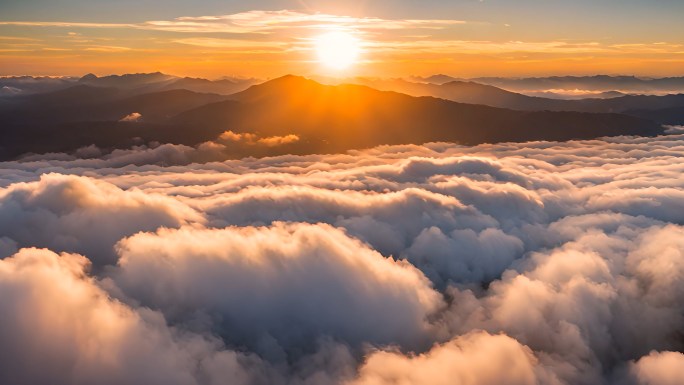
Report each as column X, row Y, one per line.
column 536, row 263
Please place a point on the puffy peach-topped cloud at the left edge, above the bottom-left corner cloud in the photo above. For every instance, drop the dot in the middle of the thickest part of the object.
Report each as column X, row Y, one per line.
column 84, row 215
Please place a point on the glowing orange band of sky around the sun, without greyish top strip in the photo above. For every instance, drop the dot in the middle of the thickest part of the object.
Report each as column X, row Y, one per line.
column 271, row 43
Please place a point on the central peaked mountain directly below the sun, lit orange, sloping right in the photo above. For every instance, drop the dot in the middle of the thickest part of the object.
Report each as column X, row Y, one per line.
column 335, row 118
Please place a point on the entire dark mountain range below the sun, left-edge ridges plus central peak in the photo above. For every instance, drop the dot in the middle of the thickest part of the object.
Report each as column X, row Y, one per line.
column 324, row 118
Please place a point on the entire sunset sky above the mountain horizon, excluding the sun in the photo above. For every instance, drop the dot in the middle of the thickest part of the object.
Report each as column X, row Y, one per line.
column 268, row 38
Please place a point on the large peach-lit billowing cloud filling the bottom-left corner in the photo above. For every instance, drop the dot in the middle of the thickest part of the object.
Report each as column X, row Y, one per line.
column 57, row 319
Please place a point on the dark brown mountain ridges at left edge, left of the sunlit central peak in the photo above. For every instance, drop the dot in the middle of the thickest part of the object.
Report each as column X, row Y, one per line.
column 65, row 120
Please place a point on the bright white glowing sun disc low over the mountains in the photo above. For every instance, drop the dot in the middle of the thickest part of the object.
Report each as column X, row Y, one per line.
column 338, row 50
